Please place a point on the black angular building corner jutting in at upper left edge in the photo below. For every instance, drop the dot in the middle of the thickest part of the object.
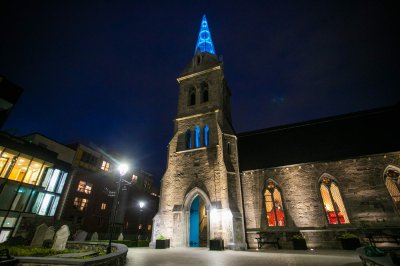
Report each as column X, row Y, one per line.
column 9, row 95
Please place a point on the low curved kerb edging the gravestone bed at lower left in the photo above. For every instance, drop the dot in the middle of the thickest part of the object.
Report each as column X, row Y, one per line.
column 118, row 257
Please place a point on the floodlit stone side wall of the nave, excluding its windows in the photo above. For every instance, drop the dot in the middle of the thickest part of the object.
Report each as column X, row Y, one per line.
column 362, row 186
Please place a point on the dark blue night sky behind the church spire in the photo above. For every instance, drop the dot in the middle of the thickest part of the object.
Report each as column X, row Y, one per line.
column 103, row 73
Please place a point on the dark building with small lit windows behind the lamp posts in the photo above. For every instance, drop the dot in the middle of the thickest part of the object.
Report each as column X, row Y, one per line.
column 91, row 190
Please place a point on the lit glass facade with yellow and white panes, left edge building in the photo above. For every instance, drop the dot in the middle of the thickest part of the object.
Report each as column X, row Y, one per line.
column 27, row 185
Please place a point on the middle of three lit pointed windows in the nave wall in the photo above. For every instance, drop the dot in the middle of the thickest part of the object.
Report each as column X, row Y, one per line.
column 333, row 202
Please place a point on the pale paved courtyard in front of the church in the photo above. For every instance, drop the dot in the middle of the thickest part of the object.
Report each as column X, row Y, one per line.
column 202, row 256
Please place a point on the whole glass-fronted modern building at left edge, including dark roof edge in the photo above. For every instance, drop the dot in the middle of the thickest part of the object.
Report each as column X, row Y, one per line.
column 32, row 181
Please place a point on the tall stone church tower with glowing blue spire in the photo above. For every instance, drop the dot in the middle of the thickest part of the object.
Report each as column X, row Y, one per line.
column 200, row 191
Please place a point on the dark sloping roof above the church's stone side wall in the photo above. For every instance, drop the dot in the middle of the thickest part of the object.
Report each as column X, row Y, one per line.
column 334, row 138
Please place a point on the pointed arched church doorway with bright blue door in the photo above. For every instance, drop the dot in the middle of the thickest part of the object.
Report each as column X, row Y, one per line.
column 198, row 223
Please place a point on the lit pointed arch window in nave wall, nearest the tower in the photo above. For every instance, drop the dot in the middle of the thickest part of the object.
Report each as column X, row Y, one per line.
column 274, row 205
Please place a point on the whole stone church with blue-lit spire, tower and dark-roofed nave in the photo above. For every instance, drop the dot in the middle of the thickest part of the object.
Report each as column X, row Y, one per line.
column 318, row 178
